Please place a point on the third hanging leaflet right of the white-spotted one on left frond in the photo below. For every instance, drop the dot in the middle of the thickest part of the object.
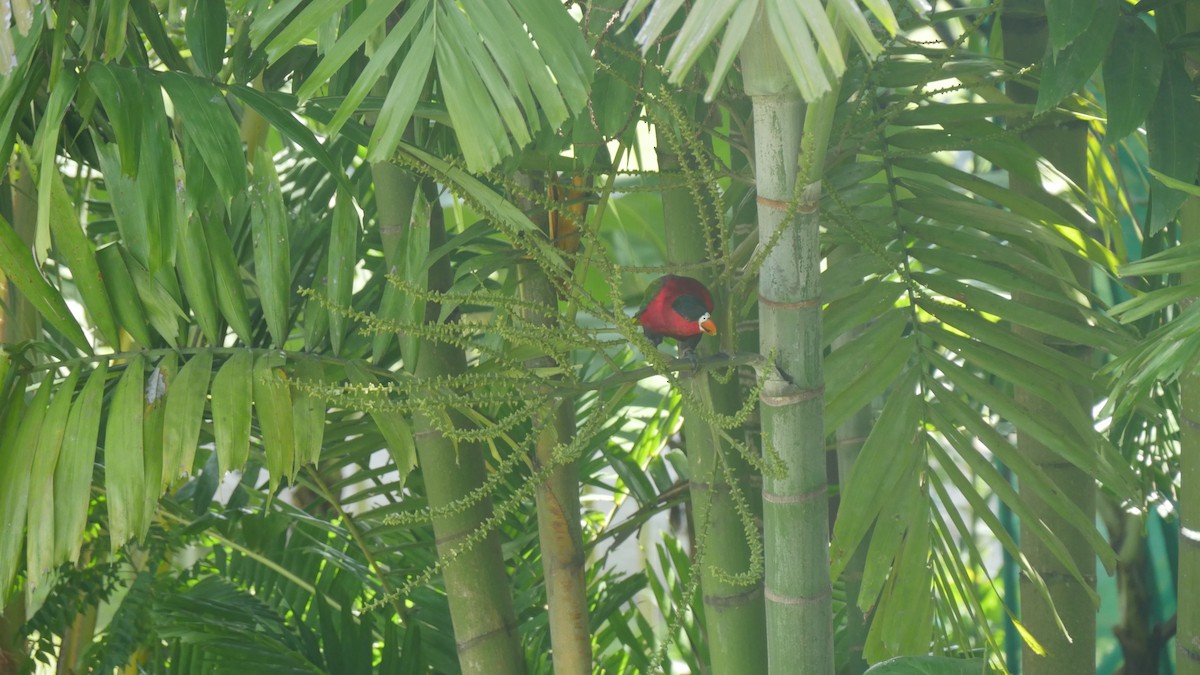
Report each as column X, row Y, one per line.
column 273, row 405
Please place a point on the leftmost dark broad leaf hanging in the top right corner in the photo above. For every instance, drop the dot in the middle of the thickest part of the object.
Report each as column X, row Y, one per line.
column 1066, row 71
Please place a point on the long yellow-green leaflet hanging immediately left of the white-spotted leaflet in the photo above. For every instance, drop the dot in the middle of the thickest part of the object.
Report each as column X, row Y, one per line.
column 124, row 458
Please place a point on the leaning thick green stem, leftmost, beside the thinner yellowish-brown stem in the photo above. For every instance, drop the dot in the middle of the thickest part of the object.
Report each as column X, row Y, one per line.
column 476, row 580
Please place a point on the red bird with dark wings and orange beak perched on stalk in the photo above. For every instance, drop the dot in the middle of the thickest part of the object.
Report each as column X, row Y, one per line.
column 680, row 308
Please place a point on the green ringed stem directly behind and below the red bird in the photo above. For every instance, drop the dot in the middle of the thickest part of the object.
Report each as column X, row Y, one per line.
column 719, row 476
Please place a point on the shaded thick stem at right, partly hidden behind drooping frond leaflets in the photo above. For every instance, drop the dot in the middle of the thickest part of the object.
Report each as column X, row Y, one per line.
column 1065, row 144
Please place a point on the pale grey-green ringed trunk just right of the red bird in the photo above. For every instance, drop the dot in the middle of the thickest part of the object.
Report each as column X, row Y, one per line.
column 796, row 510
